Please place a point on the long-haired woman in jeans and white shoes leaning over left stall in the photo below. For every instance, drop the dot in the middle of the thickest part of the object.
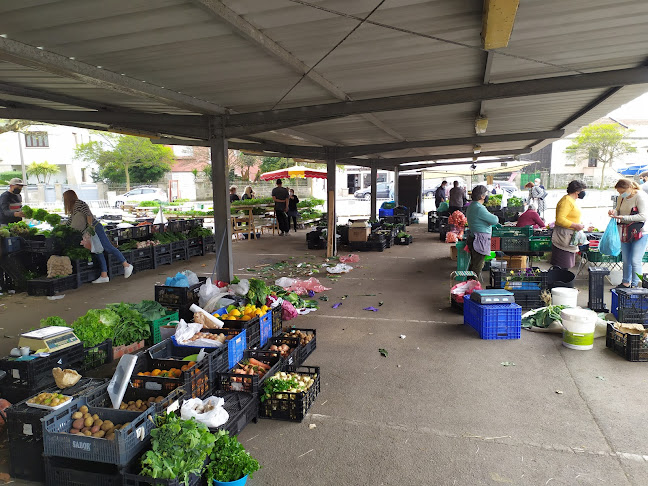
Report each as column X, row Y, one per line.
column 82, row 219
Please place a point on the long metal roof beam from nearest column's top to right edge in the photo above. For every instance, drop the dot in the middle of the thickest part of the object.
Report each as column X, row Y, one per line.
column 515, row 89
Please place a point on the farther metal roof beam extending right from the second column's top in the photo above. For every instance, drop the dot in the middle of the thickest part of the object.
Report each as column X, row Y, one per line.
column 354, row 151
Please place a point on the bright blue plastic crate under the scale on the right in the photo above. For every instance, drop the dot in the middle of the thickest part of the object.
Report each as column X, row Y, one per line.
column 493, row 321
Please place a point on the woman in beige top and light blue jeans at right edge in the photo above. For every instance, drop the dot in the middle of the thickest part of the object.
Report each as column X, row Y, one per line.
column 631, row 213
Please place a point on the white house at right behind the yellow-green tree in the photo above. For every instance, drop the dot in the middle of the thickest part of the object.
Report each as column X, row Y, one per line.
column 564, row 169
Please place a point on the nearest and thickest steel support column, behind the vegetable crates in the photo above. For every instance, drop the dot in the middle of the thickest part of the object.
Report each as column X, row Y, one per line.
column 220, row 185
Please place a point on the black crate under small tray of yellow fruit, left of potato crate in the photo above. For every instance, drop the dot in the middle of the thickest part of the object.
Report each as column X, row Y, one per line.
column 24, row 422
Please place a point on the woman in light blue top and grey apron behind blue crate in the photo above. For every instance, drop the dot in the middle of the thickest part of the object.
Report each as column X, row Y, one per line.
column 480, row 223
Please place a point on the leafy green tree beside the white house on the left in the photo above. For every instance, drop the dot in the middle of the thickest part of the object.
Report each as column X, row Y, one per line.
column 128, row 156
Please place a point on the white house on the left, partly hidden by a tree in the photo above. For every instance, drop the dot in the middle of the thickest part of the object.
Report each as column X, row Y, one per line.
column 47, row 143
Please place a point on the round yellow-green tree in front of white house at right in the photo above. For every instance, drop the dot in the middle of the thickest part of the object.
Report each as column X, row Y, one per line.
column 603, row 142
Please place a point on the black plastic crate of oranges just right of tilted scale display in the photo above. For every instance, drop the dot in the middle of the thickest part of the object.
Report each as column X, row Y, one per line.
column 195, row 380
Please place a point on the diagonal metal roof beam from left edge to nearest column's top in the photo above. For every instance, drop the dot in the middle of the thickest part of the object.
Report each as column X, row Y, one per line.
column 42, row 60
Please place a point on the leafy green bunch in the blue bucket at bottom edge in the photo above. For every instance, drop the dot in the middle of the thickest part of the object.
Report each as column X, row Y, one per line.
column 230, row 461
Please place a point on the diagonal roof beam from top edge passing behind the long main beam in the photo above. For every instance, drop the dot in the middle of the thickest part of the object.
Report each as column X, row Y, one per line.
column 262, row 40
